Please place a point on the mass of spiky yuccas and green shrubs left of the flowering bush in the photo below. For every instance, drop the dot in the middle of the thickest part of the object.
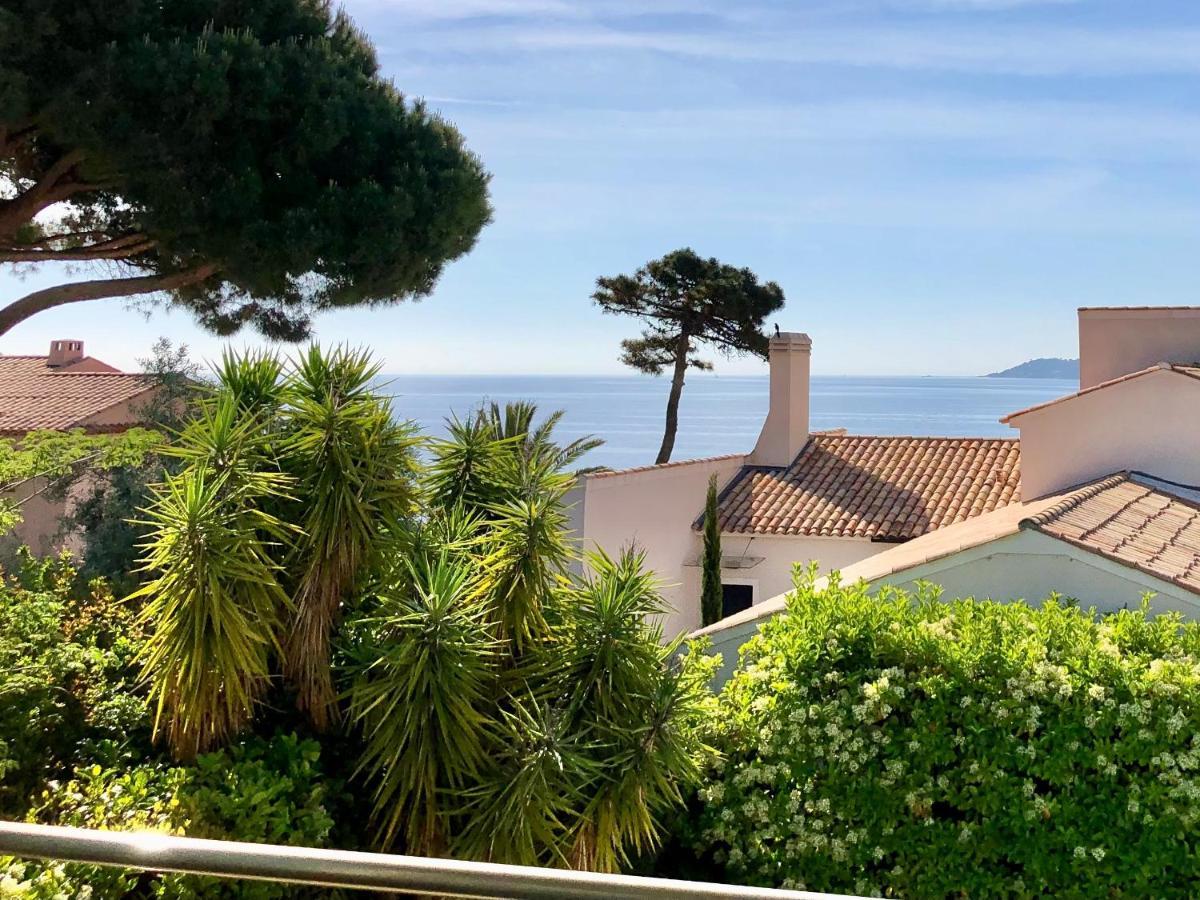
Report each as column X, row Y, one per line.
column 350, row 635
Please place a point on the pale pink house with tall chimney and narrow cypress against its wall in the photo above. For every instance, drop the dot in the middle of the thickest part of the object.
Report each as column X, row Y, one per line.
column 799, row 497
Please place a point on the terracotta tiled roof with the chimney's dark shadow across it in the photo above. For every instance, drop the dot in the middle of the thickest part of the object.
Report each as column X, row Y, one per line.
column 887, row 489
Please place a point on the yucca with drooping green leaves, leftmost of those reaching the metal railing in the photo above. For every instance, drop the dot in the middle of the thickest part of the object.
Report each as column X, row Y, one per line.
column 423, row 700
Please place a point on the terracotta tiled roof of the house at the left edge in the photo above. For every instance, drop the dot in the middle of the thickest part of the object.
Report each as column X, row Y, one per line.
column 34, row 397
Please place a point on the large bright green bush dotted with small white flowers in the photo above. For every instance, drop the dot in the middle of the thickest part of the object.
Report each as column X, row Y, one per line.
column 899, row 746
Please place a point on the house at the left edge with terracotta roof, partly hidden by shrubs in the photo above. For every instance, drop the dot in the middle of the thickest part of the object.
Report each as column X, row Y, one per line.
column 62, row 392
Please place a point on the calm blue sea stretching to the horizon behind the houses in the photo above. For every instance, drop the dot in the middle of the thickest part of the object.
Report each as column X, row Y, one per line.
column 723, row 415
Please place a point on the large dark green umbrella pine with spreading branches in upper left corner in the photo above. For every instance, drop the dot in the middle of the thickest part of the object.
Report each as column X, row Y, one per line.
column 247, row 158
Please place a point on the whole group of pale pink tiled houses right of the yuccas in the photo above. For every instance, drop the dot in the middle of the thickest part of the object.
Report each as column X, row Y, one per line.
column 1094, row 500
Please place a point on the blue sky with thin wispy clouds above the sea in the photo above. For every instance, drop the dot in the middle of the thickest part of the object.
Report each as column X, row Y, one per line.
column 937, row 184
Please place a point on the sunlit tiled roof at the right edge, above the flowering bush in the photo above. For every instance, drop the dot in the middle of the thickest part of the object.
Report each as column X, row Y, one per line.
column 1132, row 520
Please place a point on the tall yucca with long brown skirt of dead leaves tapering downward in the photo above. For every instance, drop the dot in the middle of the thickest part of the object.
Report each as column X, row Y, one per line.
column 355, row 469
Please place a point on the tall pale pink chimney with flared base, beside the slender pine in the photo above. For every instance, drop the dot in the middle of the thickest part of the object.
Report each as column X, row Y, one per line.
column 787, row 430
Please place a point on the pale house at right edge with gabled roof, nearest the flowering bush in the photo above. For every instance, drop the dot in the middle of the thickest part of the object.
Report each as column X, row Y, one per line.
column 1109, row 503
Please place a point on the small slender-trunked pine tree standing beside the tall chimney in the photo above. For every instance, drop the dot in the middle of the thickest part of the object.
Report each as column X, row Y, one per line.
column 686, row 302
